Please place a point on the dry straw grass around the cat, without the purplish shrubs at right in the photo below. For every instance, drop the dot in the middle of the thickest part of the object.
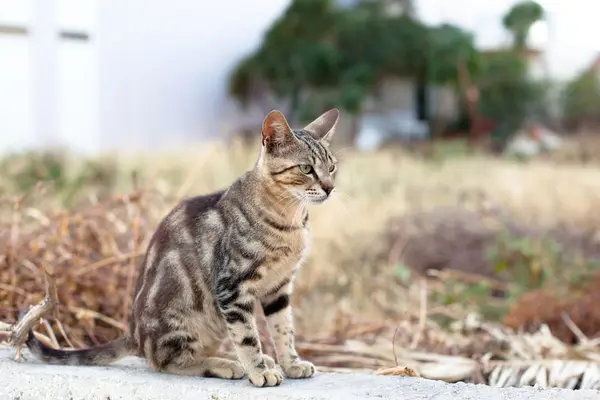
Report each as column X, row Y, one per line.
column 363, row 304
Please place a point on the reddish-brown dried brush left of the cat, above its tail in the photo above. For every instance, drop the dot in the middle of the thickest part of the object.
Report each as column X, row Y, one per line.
column 90, row 251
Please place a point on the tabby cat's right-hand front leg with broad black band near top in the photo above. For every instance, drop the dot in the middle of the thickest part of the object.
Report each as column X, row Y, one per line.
column 278, row 311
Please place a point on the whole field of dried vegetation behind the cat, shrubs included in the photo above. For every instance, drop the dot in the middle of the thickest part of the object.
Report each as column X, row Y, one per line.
column 373, row 315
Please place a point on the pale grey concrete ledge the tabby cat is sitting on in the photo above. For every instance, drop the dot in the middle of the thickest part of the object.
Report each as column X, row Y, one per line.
column 130, row 379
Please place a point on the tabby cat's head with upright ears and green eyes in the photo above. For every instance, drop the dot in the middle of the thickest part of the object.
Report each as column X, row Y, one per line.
column 300, row 161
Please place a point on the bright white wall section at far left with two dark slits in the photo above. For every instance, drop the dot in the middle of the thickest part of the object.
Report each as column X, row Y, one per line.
column 49, row 87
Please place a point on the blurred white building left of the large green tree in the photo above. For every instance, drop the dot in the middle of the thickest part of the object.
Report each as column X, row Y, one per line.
column 99, row 74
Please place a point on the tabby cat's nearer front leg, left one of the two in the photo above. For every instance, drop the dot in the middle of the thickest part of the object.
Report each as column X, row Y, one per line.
column 237, row 308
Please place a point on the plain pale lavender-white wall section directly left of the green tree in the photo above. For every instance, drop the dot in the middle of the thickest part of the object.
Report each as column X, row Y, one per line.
column 164, row 65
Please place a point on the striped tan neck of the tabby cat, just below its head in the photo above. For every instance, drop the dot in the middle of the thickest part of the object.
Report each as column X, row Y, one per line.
column 276, row 201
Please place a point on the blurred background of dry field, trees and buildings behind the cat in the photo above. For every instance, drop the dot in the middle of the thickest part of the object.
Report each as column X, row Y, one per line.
column 465, row 222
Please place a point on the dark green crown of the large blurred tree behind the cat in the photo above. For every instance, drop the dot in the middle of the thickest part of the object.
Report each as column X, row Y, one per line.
column 321, row 55
